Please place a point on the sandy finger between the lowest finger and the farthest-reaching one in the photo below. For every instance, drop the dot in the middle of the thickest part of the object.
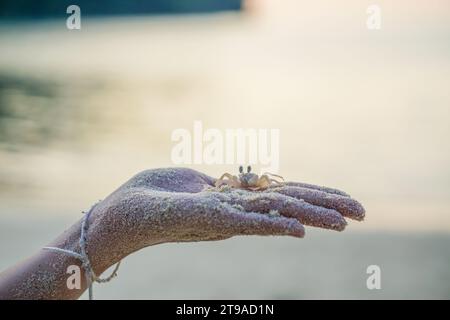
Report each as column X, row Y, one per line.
column 305, row 212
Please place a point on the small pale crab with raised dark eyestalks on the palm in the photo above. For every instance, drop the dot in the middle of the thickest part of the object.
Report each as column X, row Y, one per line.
column 248, row 180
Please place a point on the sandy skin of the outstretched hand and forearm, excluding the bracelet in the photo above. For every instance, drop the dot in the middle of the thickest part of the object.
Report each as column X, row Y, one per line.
column 175, row 205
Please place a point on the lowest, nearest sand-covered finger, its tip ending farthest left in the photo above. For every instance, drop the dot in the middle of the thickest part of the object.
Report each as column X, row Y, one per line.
column 240, row 222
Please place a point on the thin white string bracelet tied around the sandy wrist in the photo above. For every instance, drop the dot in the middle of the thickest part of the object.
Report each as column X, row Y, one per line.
column 91, row 277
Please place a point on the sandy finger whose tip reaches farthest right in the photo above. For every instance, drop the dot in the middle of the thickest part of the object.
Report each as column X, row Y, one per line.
column 347, row 206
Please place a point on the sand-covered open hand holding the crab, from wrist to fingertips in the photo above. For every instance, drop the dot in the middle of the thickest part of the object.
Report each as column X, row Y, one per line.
column 181, row 205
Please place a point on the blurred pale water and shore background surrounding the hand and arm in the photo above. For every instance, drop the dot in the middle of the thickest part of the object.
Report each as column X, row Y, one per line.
column 82, row 111
